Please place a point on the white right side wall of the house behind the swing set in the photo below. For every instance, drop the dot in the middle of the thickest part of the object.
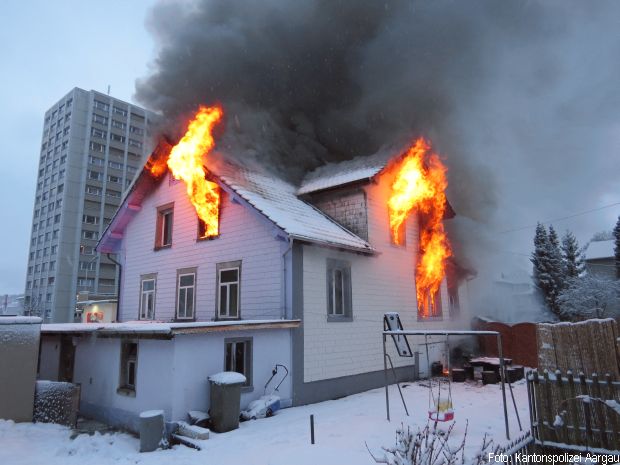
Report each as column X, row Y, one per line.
column 381, row 283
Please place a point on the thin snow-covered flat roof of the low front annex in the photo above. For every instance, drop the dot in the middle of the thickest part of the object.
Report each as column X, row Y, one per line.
column 160, row 328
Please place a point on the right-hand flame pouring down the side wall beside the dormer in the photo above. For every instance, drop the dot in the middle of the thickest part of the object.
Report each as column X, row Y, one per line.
column 420, row 184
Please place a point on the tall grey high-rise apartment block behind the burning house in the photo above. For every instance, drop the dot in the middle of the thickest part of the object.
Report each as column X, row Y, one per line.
column 92, row 147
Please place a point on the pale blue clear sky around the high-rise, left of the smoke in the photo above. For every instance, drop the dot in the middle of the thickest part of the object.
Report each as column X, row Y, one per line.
column 47, row 48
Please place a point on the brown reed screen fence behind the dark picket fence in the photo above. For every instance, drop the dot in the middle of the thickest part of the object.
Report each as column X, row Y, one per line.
column 589, row 346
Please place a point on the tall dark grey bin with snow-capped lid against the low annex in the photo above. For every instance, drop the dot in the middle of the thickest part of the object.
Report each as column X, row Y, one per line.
column 225, row 400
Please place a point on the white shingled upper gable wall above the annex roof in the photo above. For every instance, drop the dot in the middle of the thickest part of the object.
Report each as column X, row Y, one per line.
column 244, row 235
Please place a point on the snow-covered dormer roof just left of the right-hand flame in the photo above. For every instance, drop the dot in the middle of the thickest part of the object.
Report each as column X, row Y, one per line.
column 346, row 172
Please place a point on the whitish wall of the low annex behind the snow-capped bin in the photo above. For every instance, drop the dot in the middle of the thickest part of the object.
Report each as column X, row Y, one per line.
column 171, row 374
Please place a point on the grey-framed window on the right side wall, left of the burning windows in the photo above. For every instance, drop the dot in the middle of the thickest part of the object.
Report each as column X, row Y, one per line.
column 339, row 306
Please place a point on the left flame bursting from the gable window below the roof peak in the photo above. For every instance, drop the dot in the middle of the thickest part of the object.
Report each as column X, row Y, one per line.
column 186, row 162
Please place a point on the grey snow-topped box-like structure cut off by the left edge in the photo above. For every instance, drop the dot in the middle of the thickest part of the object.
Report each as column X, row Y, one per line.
column 19, row 353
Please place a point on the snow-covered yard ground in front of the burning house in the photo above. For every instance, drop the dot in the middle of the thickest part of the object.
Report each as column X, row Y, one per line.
column 341, row 427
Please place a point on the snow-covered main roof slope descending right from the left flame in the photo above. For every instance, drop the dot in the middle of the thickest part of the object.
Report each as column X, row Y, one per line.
column 277, row 200
